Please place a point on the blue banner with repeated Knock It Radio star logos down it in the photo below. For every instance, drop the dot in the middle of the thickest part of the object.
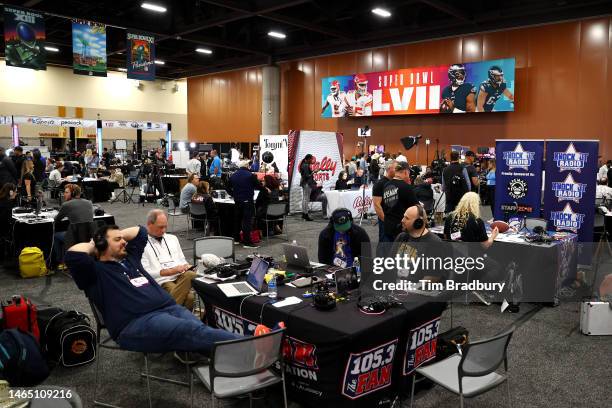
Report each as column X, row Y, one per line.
column 569, row 198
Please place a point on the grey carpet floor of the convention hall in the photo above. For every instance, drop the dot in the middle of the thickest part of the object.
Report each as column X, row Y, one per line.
column 551, row 364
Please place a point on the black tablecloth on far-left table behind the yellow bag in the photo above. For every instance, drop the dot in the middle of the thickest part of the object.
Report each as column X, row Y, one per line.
column 41, row 234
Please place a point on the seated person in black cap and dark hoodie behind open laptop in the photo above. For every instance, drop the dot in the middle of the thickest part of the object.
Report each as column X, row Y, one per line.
column 341, row 241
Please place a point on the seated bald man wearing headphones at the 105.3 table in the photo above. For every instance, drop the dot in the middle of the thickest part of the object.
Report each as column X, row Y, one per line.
column 415, row 241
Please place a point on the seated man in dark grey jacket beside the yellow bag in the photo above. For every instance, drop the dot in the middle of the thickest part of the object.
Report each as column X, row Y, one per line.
column 78, row 211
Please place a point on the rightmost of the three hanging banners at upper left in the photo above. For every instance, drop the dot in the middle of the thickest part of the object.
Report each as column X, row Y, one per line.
column 140, row 56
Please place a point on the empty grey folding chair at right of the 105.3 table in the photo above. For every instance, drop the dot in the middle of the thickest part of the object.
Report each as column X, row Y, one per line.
column 473, row 371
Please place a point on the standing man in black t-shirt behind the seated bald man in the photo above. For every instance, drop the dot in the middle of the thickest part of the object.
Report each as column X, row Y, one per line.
column 398, row 195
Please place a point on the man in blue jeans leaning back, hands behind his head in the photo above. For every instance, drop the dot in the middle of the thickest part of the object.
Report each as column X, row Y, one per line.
column 138, row 313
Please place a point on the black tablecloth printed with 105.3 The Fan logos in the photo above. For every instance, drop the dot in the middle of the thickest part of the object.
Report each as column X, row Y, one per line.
column 341, row 357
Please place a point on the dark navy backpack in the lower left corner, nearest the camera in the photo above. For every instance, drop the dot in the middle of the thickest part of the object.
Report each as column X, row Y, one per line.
column 21, row 362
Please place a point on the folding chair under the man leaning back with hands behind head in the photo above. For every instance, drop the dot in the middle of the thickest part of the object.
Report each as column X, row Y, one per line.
column 109, row 344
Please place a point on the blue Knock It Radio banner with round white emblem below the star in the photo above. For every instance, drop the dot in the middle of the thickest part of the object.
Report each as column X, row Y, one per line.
column 518, row 178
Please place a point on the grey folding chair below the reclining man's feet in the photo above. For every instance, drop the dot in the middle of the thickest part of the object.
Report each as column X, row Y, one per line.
column 242, row 366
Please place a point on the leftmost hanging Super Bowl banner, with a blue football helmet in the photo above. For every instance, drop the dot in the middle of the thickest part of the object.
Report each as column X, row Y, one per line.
column 24, row 38
